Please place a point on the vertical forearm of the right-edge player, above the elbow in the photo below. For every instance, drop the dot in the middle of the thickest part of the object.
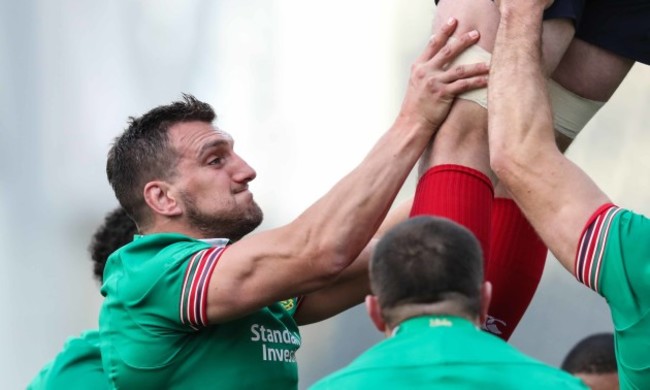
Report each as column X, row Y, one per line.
column 518, row 103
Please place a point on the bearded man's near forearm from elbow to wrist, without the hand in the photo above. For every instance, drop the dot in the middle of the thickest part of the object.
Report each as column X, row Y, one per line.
column 333, row 226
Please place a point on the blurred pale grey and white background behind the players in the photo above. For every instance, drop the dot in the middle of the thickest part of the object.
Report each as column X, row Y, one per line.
column 304, row 86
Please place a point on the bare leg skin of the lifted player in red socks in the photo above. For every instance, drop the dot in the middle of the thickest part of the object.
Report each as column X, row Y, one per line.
column 580, row 67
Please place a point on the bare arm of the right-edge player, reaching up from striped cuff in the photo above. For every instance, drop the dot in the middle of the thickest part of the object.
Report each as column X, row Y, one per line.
column 556, row 196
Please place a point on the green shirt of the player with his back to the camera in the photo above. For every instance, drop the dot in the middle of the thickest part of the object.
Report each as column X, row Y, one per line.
column 445, row 352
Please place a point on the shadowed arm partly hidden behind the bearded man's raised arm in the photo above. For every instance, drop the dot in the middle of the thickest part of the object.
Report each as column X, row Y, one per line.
column 351, row 287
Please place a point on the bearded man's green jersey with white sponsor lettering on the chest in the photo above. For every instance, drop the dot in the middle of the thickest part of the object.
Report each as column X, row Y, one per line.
column 155, row 332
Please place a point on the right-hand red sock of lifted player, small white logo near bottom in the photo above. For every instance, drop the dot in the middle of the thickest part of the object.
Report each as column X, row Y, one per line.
column 515, row 267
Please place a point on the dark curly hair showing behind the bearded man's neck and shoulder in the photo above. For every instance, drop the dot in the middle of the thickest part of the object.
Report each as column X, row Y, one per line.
column 117, row 230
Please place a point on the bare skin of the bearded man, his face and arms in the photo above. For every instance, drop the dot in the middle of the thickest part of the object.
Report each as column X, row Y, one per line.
column 312, row 253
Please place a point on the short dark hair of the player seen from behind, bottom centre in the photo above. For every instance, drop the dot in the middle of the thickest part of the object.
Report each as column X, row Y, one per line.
column 427, row 260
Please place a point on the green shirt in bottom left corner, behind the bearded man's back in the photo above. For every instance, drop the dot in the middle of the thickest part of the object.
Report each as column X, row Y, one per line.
column 77, row 366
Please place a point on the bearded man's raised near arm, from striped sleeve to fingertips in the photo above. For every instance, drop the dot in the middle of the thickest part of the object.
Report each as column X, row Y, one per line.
column 311, row 252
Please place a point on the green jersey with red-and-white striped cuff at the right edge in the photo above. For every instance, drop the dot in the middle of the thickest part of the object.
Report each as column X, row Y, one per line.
column 613, row 259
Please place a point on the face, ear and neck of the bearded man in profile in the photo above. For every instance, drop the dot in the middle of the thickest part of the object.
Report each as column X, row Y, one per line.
column 211, row 179
